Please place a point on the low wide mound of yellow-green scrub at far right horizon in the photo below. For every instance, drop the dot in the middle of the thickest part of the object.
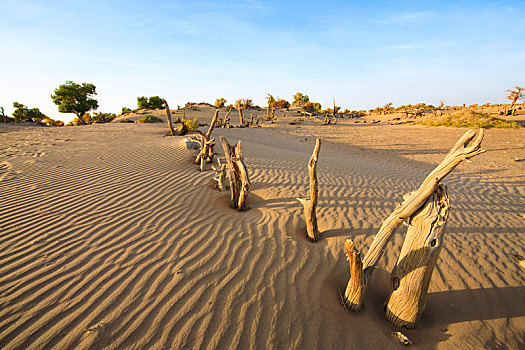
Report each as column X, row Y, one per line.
column 469, row 119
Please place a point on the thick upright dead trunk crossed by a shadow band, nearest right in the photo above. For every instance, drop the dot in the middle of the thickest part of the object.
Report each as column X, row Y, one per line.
column 411, row 276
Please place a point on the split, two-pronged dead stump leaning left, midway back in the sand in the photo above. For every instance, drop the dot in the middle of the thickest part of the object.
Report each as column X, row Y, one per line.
column 237, row 174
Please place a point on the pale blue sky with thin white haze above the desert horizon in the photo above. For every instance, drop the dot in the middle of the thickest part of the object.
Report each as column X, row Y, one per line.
column 362, row 53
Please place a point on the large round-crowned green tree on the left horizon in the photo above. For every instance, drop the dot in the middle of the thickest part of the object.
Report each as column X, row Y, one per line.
column 75, row 98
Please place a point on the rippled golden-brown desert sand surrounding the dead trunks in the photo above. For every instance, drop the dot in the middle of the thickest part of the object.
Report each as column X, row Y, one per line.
column 110, row 237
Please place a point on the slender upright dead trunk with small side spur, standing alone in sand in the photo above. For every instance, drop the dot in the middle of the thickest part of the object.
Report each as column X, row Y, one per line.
column 310, row 204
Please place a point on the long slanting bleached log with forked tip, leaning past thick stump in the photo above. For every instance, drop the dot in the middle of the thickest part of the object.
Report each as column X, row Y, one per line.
column 461, row 151
